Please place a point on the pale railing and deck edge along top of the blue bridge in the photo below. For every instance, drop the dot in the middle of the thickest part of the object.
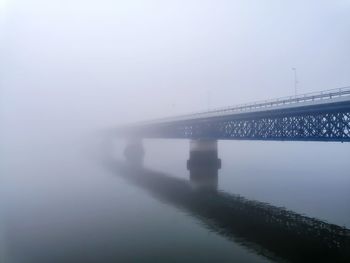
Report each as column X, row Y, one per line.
column 289, row 100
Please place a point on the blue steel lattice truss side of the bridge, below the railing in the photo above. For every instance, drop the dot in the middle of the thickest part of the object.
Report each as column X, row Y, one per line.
column 313, row 123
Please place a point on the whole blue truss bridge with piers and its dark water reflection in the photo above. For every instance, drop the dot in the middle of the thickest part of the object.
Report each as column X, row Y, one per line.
column 321, row 116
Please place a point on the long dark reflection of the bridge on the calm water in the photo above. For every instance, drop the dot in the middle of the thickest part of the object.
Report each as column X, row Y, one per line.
column 270, row 231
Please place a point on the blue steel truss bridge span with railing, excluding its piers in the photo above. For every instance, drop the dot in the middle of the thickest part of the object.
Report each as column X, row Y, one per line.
column 321, row 116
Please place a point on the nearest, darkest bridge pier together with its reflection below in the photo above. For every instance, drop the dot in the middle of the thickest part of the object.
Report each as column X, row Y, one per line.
column 204, row 164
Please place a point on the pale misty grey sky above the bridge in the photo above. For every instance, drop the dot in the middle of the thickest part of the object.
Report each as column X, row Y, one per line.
column 105, row 62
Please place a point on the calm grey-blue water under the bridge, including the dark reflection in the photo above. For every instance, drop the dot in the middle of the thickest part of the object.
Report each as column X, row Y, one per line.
column 78, row 201
